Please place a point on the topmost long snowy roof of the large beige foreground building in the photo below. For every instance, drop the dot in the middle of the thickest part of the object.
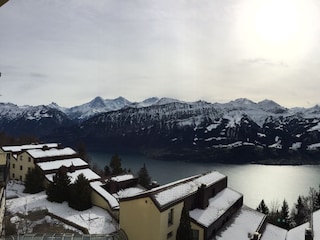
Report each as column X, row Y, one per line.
column 180, row 189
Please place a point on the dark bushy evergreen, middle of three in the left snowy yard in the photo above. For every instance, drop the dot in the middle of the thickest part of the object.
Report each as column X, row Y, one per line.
column 58, row 189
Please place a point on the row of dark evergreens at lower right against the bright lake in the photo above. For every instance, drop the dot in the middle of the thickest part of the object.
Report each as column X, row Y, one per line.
column 300, row 213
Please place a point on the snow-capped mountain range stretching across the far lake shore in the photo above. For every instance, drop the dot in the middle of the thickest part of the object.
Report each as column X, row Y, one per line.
column 239, row 131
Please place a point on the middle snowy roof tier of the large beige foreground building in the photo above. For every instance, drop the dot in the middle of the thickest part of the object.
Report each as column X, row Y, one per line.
column 218, row 205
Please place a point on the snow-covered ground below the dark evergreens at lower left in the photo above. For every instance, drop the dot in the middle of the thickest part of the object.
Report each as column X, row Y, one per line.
column 96, row 220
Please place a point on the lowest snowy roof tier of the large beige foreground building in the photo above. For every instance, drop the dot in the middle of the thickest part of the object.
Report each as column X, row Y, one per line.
column 243, row 222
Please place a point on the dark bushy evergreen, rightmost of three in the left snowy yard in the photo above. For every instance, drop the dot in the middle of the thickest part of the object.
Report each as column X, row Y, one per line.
column 80, row 194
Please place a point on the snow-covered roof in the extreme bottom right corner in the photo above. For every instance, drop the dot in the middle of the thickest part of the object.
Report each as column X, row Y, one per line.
column 298, row 233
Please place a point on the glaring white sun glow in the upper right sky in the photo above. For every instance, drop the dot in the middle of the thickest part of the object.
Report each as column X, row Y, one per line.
column 277, row 29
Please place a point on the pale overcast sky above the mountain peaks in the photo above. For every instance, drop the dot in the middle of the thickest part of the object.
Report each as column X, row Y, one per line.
column 69, row 52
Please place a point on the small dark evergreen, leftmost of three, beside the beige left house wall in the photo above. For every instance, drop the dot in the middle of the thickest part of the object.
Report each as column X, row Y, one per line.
column 34, row 181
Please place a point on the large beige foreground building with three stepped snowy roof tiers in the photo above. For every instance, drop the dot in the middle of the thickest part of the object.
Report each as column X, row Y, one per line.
column 213, row 211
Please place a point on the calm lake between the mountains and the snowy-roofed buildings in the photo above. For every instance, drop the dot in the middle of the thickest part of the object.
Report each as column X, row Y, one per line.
column 255, row 182
